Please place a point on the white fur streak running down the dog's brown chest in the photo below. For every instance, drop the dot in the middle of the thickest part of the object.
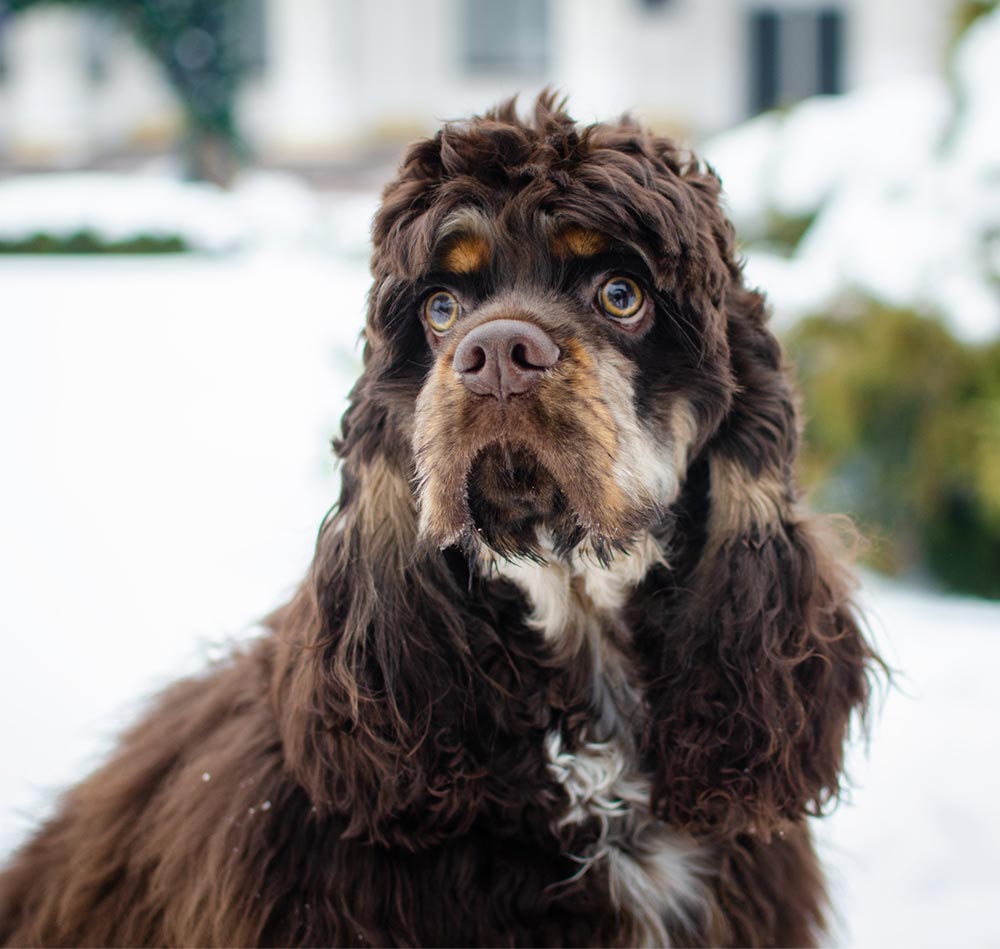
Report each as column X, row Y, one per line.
column 654, row 874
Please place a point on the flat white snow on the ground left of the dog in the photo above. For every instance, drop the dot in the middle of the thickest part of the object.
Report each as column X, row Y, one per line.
column 165, row 427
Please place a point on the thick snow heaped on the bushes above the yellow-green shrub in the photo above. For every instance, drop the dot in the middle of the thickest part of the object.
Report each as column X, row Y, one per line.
column 902, row 182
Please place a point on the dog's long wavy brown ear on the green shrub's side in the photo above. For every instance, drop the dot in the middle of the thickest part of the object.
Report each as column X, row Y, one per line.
column 761, row 661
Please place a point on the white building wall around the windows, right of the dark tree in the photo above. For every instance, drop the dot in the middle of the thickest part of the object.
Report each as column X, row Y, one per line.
column 395, row 67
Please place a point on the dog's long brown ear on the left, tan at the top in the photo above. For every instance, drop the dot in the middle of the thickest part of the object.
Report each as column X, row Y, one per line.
column 373, row 677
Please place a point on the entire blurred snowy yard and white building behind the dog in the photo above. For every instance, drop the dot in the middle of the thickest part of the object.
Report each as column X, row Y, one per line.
column 186, row 188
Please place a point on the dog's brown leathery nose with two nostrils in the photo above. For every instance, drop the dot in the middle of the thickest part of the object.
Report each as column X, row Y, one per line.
column 504, row 357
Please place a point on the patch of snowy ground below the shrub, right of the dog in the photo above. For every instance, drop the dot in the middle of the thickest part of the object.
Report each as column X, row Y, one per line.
column 912, row 853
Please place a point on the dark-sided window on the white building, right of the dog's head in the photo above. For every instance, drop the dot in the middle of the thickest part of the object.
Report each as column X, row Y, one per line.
column 794, row 53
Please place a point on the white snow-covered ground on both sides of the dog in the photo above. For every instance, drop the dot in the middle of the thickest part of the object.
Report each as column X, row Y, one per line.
column 164, row 426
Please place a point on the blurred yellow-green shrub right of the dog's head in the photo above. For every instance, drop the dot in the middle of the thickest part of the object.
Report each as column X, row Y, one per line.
column 903, row 432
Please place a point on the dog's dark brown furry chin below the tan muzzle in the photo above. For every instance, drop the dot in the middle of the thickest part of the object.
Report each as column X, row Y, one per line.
column 514, row 500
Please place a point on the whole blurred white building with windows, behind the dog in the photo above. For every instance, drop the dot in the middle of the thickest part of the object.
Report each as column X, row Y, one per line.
column 335, row 75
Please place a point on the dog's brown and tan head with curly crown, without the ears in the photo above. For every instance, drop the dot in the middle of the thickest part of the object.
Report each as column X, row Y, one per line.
column 547, row 329
